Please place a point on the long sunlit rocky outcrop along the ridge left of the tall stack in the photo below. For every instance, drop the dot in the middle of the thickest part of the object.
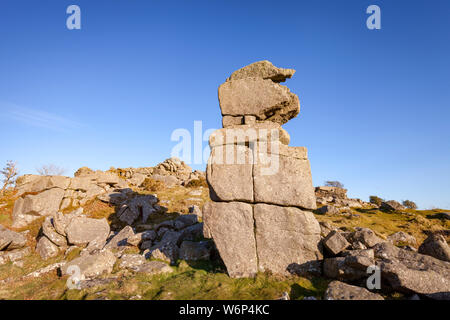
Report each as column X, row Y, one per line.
column 47, row 195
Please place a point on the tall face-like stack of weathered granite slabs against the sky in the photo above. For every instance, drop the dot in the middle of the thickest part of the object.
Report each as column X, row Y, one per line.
column 261, row 189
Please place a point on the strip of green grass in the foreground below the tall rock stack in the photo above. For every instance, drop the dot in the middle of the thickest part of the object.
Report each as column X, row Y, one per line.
column 200, row 282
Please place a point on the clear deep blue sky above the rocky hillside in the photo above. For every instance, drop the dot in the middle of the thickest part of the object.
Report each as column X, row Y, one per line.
column 375, row 104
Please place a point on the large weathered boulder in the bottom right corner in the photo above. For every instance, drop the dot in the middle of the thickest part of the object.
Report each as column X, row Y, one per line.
column 412, row 272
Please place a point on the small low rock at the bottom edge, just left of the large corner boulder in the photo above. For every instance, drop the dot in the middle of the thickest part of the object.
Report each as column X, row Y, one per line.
column 341, row 291
